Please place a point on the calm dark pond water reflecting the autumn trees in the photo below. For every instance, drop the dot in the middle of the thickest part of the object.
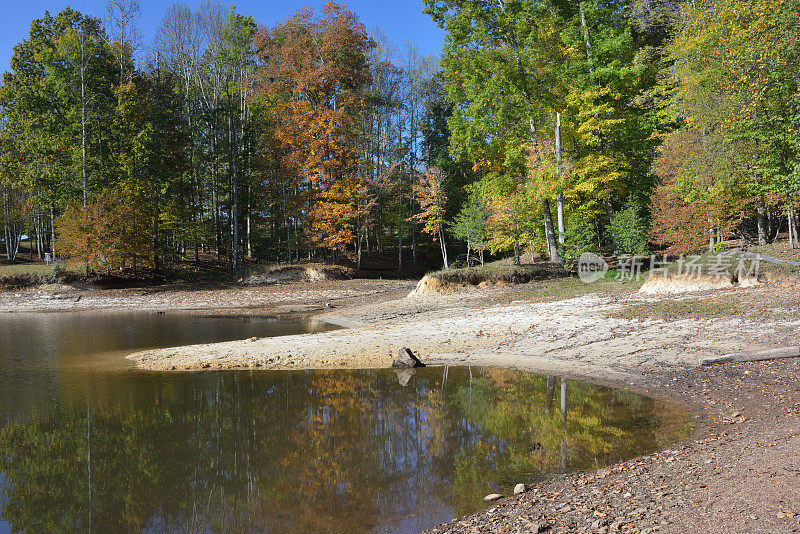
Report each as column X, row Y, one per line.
column 87, row 443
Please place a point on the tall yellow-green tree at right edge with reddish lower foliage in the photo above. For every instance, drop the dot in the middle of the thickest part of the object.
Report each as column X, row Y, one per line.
column 733, row 92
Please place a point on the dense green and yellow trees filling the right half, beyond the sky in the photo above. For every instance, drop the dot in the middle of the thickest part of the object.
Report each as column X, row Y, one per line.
column 642, row 123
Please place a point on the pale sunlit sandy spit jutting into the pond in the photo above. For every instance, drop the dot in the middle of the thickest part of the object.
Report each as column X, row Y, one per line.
column 578, row 336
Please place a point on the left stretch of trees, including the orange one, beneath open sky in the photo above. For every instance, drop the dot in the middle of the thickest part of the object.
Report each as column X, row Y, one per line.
column 224, row 138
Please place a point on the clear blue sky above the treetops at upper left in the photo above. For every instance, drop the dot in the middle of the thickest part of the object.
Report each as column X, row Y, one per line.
column 401, row 20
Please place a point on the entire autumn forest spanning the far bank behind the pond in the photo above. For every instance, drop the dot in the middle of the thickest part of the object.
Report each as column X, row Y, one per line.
column 545, row 128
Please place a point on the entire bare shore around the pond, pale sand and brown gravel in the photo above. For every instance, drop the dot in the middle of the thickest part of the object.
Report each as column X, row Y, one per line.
column 740, row 472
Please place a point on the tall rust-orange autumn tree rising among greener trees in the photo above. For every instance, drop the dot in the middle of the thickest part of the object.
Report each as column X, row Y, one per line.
column 313, row 73
